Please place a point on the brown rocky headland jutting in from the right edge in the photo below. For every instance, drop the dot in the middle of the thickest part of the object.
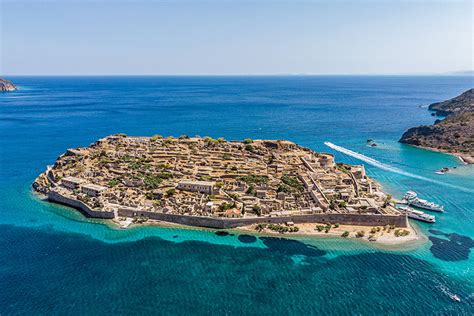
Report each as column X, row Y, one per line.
column 454, row 134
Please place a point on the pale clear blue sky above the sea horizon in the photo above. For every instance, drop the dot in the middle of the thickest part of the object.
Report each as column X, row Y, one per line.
column 234, row 37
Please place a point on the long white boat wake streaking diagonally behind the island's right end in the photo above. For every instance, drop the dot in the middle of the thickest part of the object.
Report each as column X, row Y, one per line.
column 386, row 167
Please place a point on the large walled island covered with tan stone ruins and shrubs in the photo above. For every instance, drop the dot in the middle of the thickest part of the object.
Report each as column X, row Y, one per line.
column 215, row 183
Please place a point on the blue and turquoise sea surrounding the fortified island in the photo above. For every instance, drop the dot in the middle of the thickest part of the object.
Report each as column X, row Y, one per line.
column 55, row 261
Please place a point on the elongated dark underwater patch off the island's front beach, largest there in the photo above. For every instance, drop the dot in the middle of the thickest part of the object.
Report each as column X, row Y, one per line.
column 292, row 247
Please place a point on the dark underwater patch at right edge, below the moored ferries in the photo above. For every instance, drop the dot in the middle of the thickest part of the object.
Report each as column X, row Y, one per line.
column 455, row 248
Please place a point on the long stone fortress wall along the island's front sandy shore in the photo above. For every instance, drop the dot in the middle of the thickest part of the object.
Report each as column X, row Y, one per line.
column 211, row 222
